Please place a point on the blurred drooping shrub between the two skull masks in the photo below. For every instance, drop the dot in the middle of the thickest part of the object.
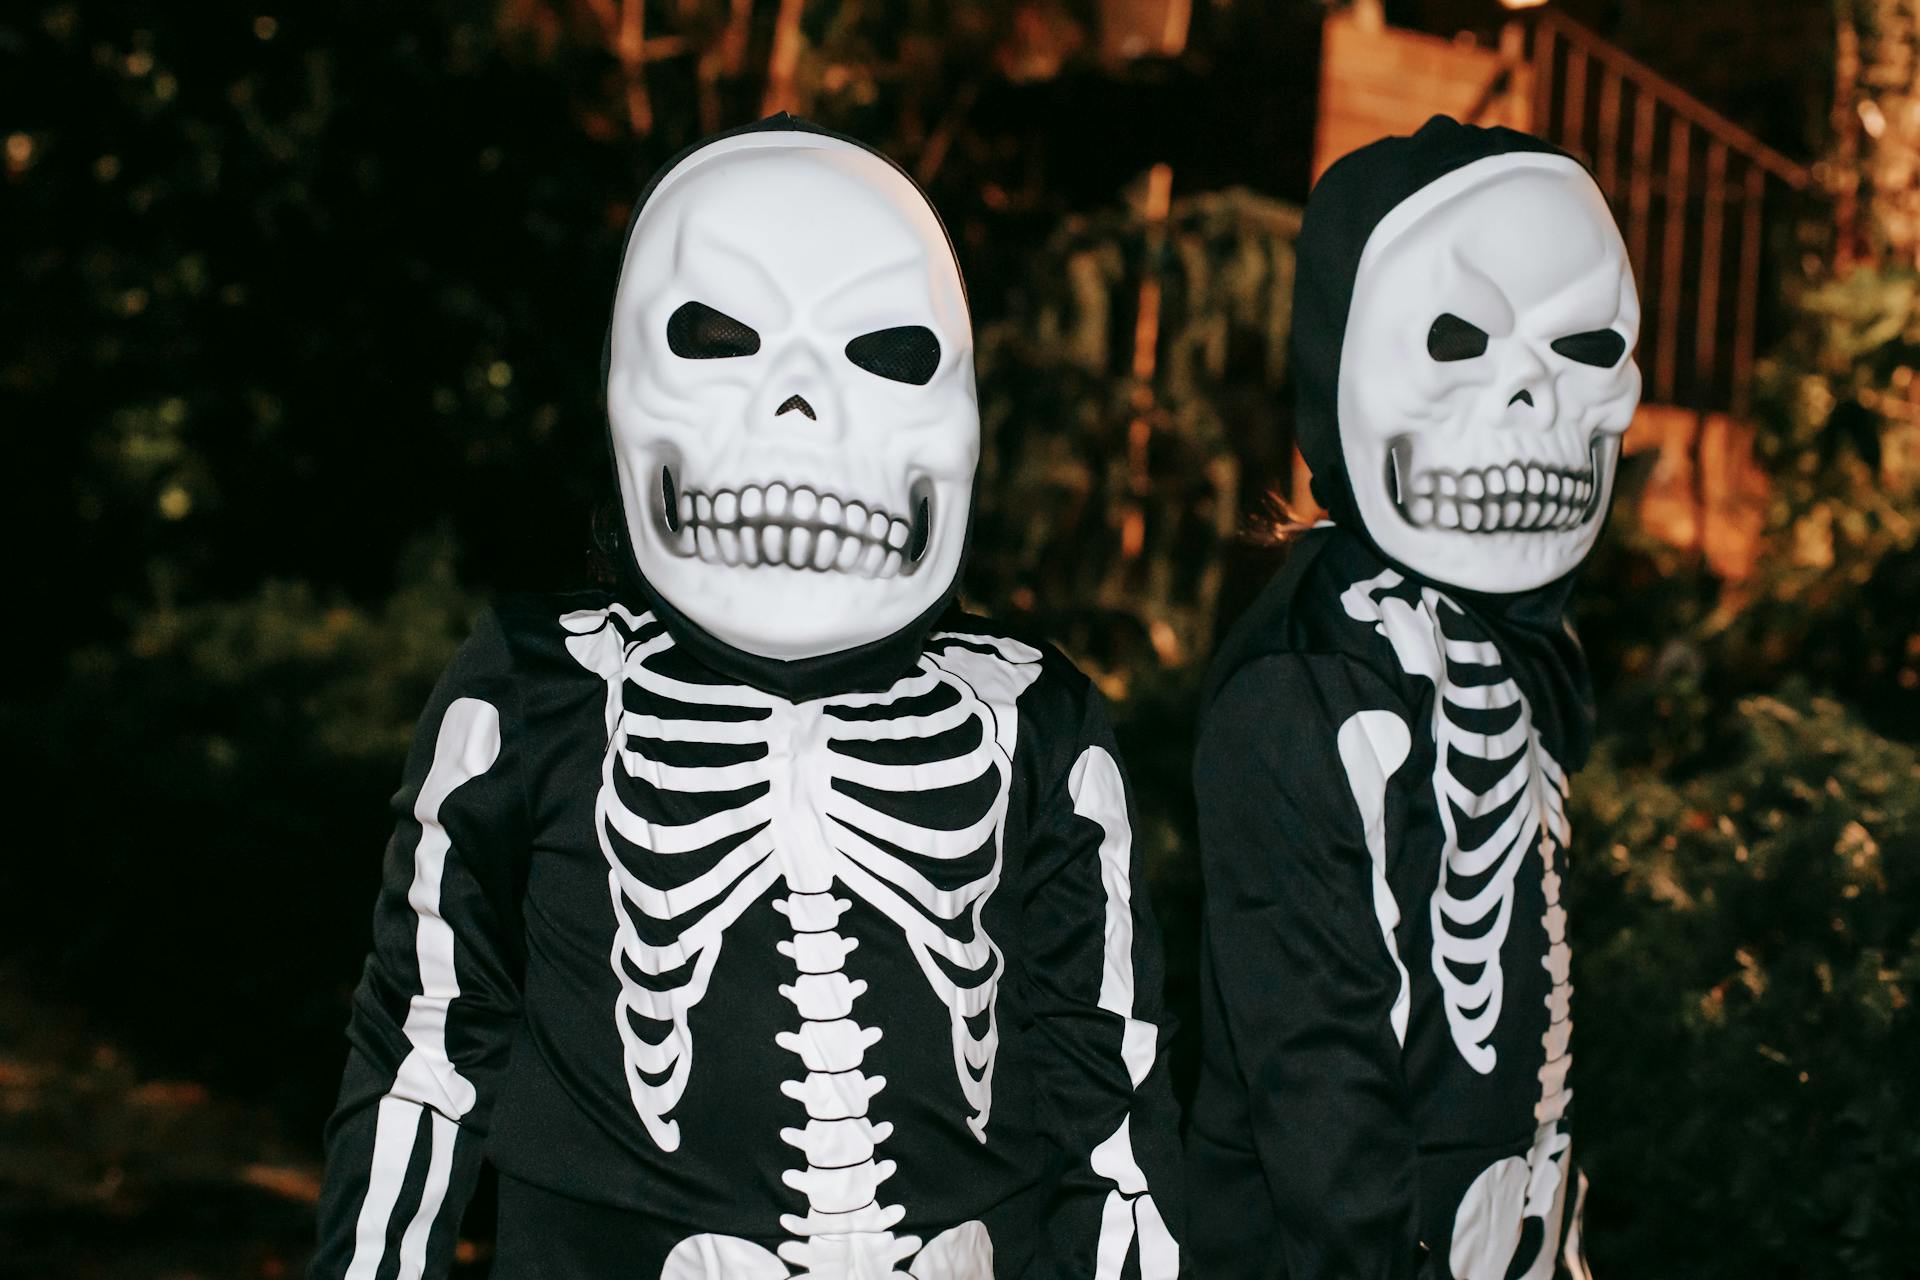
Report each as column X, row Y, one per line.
column 1090, row 435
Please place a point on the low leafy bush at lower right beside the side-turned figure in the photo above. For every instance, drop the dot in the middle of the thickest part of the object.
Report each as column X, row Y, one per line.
column 1748, row 957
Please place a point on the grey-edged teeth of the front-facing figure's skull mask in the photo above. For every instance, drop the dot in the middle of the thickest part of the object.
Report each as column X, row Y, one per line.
column 792, row 527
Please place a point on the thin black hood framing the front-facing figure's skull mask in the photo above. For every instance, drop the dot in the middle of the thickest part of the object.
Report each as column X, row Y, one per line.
column 873, row 665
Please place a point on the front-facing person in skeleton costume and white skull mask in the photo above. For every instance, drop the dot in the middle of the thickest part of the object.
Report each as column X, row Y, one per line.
column 773, row 918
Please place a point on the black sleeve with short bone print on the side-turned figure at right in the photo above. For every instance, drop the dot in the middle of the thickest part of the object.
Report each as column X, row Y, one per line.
column 1303, row 1137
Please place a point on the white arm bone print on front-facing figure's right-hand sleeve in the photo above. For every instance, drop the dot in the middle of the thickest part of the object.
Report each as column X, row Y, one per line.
column 1101, row 797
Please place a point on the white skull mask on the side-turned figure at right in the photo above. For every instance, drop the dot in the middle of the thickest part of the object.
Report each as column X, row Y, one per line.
column 1487, row 373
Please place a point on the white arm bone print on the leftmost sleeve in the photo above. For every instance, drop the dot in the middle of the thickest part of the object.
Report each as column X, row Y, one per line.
column 427, row 1079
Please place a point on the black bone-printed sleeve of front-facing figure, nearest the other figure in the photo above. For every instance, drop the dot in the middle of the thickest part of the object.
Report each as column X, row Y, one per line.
column 1093, row 984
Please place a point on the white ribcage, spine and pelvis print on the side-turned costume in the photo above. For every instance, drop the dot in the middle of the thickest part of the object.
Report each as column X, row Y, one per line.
column 1502, row 799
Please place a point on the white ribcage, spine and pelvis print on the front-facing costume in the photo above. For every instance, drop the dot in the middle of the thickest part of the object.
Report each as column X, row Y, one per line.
column 807, row 836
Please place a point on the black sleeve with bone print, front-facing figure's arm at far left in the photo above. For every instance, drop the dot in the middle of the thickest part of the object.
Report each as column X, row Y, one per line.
column 439, row 999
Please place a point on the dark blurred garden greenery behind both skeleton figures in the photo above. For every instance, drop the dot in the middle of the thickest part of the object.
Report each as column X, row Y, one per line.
column 300, row 343
